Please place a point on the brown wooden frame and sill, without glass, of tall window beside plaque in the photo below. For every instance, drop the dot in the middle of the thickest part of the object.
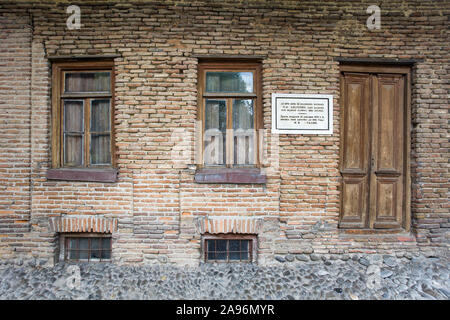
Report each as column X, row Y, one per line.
column 229, row 172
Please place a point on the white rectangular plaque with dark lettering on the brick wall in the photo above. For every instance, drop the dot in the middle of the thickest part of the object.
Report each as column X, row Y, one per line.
column 302, row 113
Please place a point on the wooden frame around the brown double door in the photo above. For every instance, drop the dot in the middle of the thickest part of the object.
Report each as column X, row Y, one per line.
column 390, row 69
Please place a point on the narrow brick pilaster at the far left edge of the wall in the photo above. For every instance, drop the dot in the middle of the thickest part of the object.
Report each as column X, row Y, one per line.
column 15, row 110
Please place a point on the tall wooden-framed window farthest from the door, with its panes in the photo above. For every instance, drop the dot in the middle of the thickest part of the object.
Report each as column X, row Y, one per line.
column 82, row 116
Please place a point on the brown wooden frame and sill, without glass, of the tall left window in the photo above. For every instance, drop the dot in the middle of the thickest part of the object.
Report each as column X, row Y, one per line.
column 87, row 172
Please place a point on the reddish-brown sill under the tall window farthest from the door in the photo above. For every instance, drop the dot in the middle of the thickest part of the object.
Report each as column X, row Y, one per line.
column 86, row 174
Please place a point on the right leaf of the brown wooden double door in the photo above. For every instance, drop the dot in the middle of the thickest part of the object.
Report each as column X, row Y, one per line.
column 388, row 144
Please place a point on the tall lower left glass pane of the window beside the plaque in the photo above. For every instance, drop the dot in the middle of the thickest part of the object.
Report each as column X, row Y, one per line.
column 215, row 131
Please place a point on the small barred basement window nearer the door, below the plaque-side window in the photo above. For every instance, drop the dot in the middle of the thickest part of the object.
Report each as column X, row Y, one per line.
column 228, row 249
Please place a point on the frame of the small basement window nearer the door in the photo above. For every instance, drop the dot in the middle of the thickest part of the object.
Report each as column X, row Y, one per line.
column 252, row 247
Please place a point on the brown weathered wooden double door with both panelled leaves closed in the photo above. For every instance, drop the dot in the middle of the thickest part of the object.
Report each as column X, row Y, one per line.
column 373, row 150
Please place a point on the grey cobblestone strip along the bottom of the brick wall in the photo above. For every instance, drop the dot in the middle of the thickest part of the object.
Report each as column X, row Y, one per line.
column 298, row 277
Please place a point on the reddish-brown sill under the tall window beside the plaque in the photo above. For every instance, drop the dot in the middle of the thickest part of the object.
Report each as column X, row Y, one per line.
column 230, row 175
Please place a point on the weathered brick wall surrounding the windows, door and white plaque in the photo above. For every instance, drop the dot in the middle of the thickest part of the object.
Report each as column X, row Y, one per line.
column 155, row 201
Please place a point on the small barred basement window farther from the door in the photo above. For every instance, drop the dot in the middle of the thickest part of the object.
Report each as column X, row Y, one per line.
column 78, row 248
